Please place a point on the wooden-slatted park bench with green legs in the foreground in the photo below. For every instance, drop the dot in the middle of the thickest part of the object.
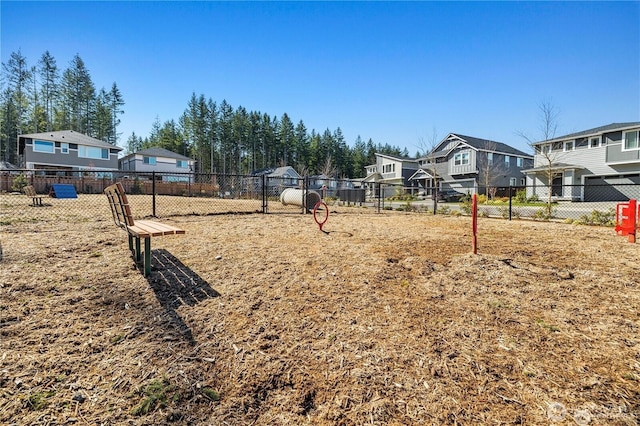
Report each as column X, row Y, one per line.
column 136, row 230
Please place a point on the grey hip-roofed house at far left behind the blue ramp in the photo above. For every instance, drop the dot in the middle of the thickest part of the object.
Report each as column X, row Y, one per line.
column 66, row 151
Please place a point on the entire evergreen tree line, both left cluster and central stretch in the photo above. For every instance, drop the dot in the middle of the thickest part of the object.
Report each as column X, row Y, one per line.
column 220, row 137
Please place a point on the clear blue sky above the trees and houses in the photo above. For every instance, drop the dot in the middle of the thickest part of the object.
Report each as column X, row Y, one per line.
column 394, row 72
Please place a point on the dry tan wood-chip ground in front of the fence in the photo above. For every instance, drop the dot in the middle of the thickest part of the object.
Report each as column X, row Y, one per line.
column 264, row 319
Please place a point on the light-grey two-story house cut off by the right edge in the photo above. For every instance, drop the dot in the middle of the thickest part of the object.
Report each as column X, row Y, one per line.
column 591, row 165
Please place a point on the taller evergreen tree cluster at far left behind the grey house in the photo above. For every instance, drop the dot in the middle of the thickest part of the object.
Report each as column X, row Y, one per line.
column 42, row 97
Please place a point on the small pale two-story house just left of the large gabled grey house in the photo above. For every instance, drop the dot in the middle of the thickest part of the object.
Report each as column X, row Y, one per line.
column 391, row 171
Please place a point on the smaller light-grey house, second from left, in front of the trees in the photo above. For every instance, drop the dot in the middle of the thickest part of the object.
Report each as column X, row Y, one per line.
column 171, row 167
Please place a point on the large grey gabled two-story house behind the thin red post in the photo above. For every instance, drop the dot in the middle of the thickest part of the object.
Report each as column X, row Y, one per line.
column 468, row 164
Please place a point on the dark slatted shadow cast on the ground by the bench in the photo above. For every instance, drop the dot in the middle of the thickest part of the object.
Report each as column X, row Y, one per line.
column 174, row 285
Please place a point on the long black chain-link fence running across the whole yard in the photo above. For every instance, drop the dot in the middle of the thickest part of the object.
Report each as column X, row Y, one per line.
column 176, row 194
